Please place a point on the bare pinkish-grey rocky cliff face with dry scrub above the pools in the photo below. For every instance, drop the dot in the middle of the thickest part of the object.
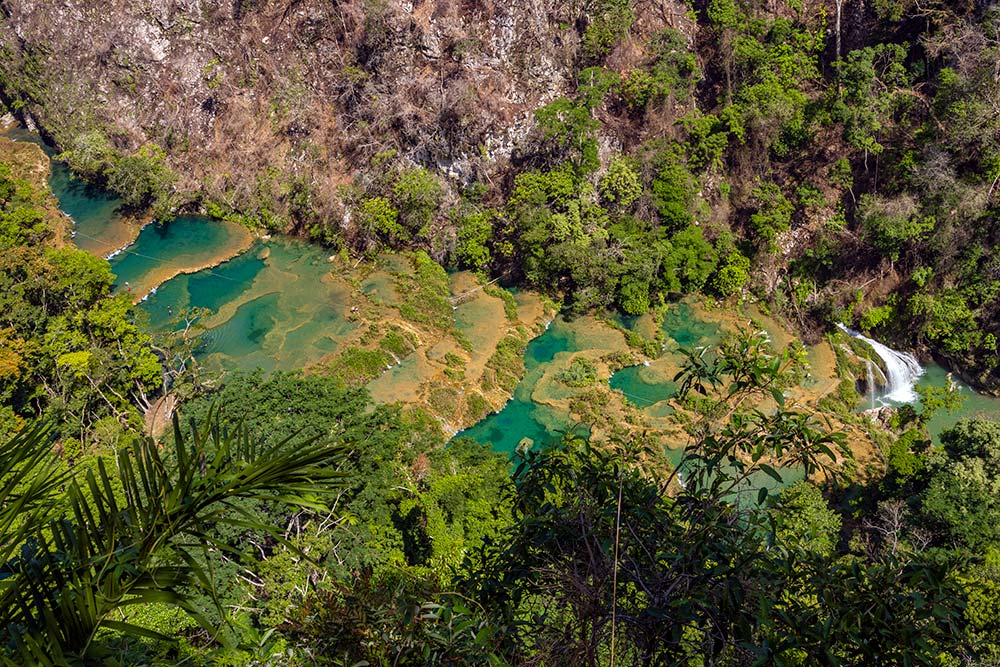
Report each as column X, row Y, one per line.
column 270, row 106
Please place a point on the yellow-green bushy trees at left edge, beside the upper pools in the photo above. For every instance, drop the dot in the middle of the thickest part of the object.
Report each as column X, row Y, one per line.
column 69, row 349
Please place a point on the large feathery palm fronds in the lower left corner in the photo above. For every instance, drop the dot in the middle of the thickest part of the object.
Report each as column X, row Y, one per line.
column 83, row 548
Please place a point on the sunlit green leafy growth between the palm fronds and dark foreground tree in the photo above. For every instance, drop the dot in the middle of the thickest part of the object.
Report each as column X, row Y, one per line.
column 411, row 510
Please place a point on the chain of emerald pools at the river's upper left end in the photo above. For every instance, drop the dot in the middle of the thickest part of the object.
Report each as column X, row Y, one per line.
column 272, row 307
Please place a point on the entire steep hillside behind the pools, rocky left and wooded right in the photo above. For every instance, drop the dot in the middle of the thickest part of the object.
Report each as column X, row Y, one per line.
column 837, row 159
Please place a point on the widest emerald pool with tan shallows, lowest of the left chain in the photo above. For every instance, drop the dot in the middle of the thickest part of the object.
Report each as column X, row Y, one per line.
column 272, row 307
